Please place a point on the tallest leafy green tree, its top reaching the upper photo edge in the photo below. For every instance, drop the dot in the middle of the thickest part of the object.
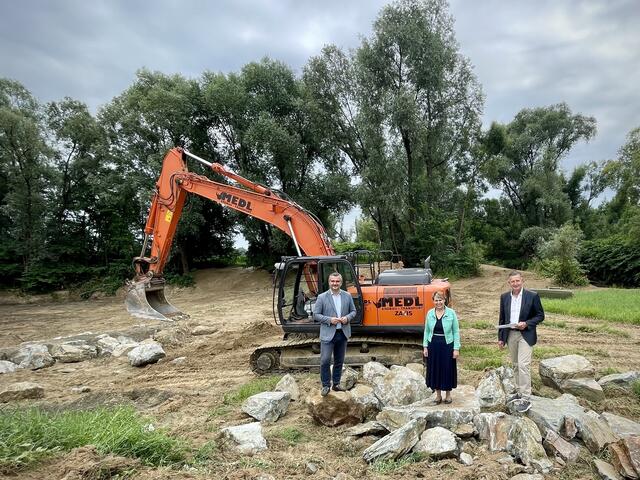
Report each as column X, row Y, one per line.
column 404, row 109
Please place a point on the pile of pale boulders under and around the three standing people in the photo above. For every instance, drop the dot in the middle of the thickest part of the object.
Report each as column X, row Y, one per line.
column 394, row 408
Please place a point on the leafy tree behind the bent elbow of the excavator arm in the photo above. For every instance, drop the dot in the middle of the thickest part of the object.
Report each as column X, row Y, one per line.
column 154, row 114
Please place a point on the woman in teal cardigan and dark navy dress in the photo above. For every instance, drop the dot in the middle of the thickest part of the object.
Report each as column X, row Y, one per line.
column 441, row 348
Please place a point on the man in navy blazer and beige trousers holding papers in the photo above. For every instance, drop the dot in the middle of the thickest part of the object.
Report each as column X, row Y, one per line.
column 522, row 310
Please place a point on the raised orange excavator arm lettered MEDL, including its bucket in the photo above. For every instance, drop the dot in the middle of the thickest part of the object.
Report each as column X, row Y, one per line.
column 145, row 293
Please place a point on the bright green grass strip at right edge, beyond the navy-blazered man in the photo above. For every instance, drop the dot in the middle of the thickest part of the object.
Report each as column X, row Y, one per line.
column 611, row 304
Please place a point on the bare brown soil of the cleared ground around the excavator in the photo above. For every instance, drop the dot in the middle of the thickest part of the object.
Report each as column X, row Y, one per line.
column 186, row 399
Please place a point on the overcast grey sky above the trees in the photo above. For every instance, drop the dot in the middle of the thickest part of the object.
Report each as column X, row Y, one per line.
column 525, row 53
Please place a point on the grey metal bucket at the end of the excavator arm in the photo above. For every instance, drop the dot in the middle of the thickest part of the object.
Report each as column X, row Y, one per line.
column 145, row 299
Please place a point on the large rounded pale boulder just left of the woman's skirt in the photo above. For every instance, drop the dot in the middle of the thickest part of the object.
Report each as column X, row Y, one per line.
column 401, row 386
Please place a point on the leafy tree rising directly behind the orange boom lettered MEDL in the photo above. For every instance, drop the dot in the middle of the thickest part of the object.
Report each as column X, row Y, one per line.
column 262, row 118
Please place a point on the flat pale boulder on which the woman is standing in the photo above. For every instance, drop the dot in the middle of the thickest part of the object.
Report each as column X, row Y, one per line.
column 464, row 407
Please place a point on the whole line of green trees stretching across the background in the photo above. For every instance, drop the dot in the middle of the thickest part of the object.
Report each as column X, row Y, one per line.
column 392, row 126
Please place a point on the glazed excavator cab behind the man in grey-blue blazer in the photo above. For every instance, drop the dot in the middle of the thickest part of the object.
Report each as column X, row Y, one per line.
column 298, row 283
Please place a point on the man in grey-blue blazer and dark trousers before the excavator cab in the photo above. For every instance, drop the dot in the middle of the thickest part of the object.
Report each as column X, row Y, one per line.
column 334, row 309
